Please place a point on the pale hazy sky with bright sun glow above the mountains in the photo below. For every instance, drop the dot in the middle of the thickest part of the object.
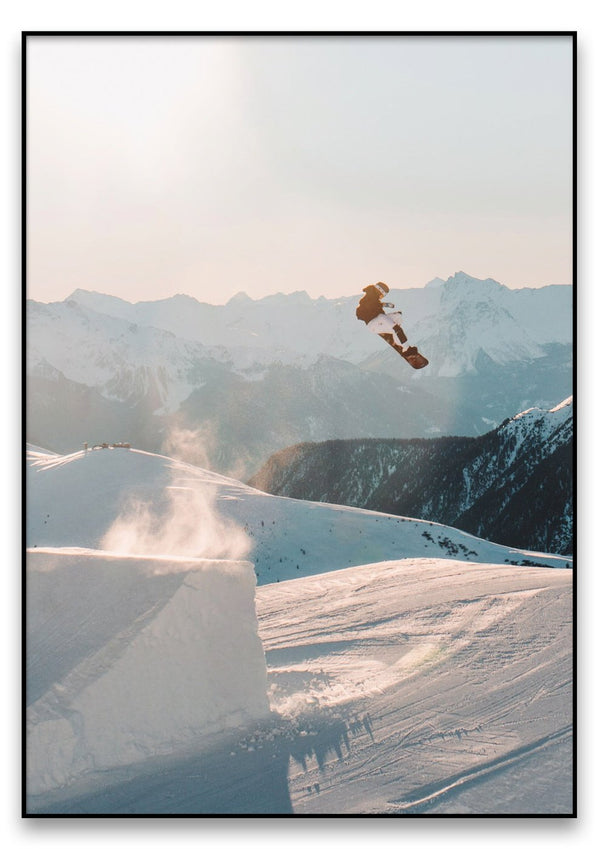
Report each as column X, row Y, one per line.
column 210, row 165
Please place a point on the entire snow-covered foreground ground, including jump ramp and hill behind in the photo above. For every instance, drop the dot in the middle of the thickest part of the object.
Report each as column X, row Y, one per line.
column 383, row 665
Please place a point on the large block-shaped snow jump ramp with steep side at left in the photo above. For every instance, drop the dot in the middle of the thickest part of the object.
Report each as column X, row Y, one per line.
column 131, row 657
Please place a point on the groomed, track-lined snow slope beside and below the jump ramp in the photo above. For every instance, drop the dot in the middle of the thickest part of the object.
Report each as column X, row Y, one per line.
column 414, row 686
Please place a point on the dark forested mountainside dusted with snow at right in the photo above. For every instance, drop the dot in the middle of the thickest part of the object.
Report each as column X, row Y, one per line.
column 513, row 485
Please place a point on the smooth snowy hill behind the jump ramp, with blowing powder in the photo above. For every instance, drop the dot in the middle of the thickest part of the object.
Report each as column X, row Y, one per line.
column 138, row 503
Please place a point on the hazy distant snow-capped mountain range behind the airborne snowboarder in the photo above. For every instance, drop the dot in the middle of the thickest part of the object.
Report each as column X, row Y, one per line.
column 252, row 377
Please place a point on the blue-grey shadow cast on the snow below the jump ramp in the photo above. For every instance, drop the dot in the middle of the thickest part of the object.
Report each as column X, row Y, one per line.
column 241, row 775
